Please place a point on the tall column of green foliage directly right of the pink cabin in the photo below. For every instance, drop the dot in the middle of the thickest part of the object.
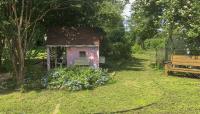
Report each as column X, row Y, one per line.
column 115, row 41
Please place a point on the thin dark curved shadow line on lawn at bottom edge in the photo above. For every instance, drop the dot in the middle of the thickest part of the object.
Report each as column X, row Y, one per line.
column 127, row 111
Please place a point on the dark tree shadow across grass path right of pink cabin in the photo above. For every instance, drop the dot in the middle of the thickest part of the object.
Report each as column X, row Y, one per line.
column 132, row 64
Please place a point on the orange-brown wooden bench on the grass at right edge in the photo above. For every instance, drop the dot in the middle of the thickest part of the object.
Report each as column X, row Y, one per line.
column 183, row 63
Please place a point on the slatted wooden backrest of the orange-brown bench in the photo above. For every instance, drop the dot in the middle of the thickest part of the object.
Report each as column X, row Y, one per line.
column 185, row 60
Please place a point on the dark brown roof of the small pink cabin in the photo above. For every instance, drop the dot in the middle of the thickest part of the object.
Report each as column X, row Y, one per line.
column 73, row 36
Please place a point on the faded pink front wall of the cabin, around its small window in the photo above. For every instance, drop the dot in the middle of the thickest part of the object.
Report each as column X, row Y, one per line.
column 92, row 53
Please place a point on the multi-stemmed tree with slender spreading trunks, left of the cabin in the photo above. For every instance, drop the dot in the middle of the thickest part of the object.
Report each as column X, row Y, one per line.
column 21, row 18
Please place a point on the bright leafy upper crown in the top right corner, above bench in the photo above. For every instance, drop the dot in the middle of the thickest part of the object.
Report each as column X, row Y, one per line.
column 181, row 16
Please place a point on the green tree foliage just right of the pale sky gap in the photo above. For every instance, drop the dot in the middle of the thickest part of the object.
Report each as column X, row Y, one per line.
column 144, row 20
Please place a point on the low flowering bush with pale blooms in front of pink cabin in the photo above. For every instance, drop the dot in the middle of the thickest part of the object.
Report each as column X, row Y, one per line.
column 75, row 78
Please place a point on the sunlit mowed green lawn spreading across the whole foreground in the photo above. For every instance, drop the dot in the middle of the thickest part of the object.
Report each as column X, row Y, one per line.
column 138, row 88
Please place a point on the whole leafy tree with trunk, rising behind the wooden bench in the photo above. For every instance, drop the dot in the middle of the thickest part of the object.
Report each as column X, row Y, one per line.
column 179, row 19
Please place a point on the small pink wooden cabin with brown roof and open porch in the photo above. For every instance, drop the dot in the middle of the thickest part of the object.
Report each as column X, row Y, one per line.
column 73, row 46
